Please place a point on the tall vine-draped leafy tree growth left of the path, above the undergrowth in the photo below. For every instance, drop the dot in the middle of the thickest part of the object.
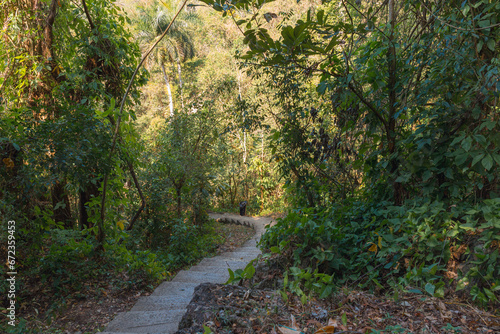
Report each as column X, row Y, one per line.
column 62, row 81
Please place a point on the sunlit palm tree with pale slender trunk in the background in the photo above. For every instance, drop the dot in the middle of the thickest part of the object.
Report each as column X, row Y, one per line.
column 175, row 48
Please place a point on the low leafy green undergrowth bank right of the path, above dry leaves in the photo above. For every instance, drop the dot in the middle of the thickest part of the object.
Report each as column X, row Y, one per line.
column 419, row 247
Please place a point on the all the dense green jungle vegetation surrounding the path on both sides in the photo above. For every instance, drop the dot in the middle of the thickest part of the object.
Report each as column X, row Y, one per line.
column 374, row 125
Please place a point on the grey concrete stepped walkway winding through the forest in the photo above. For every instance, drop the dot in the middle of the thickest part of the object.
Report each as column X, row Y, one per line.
column 162, row 311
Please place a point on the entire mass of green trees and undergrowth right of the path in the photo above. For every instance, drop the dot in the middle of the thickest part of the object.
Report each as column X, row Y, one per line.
column 387, row 136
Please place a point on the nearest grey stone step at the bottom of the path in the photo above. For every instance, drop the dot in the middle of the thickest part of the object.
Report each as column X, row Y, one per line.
column 147, row 321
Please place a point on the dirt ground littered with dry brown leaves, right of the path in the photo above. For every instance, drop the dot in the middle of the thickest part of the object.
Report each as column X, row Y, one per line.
column 256, row 308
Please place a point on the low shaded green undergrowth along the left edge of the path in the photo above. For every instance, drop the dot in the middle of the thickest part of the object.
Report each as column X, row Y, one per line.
column 68, row 269
